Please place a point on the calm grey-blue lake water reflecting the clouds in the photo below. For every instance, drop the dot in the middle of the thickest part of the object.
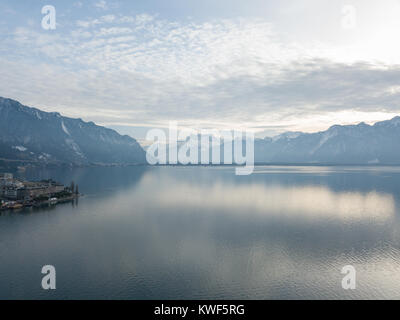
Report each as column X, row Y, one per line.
column 198, row 232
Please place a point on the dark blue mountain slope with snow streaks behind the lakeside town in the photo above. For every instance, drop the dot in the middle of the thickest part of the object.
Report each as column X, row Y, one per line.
column 34, row 135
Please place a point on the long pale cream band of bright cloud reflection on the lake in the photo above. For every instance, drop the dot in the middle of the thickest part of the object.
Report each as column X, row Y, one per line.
column 309, row 202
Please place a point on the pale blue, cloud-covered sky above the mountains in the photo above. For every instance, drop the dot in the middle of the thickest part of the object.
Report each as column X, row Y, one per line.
column 266, row 66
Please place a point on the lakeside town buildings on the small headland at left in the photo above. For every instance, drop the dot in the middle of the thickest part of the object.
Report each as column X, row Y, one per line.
column 16, row 193
